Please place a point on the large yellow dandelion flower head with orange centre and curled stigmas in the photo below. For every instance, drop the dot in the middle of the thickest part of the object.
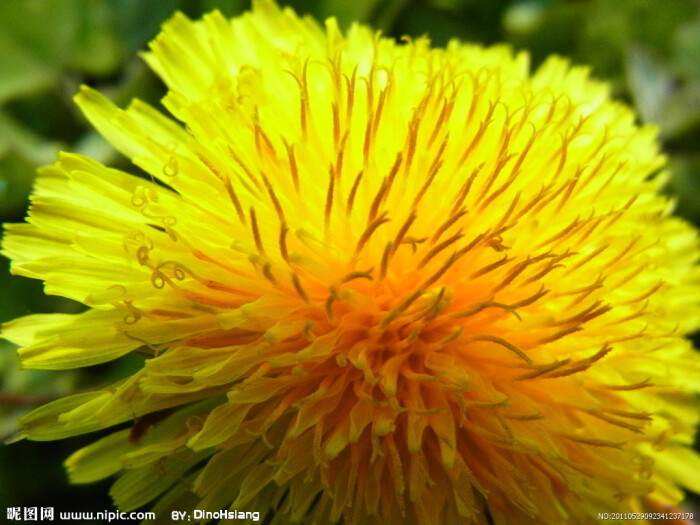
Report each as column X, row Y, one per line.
column 376, row 283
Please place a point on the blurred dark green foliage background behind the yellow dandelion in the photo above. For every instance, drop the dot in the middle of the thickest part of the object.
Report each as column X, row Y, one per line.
column 649, row 51
